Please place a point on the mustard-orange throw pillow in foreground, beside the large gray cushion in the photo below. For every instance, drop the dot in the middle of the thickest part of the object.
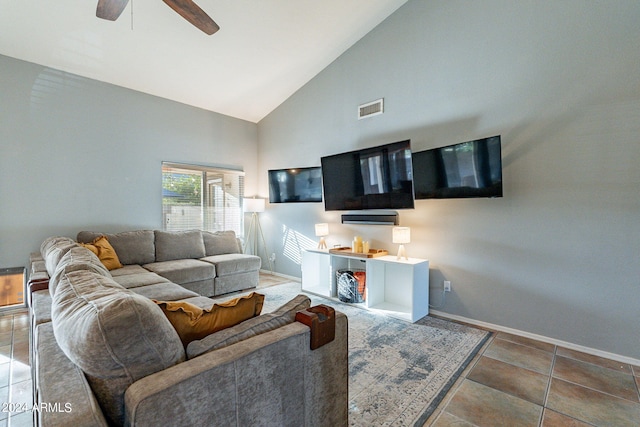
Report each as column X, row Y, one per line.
column 194, row 323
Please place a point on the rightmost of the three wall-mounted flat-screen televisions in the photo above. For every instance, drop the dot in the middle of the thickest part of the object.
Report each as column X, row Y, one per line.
column 467, row 169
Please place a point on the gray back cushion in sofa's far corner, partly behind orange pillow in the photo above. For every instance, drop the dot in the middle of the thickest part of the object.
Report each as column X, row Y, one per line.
column 132, row 247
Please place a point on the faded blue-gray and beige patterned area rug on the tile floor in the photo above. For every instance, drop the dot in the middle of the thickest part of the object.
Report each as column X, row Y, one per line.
column 398, row 371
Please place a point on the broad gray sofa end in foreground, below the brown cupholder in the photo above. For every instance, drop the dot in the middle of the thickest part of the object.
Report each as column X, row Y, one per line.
column 270, row 379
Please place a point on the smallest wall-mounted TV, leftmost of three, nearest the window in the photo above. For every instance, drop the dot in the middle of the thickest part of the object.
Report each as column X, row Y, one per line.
column 295, row 185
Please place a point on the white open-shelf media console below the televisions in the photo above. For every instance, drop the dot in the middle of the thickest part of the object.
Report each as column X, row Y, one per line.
column 398, row 288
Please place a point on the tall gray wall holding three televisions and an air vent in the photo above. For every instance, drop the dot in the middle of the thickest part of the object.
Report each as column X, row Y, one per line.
column 560, row 81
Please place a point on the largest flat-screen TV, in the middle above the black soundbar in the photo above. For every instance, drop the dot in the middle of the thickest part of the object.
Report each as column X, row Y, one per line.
column 372, row 178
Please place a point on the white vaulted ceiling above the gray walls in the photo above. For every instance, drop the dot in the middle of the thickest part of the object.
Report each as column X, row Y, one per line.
column 264, row 51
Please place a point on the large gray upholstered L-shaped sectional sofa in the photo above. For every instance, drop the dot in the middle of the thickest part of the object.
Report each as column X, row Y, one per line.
column 103, row 353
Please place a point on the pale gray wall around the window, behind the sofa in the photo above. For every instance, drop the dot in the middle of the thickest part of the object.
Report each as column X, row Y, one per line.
column 79, row 154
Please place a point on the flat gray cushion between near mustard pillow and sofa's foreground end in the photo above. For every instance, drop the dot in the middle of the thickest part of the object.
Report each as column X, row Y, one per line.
column 250, row 328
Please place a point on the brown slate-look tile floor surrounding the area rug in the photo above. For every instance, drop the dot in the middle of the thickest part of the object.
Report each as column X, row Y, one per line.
column 513, row 381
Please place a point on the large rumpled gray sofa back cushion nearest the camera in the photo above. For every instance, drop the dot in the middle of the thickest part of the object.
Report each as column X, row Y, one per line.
column 115, row 336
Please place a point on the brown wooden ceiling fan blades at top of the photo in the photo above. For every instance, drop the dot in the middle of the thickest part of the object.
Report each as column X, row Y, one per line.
column 111, row 10
